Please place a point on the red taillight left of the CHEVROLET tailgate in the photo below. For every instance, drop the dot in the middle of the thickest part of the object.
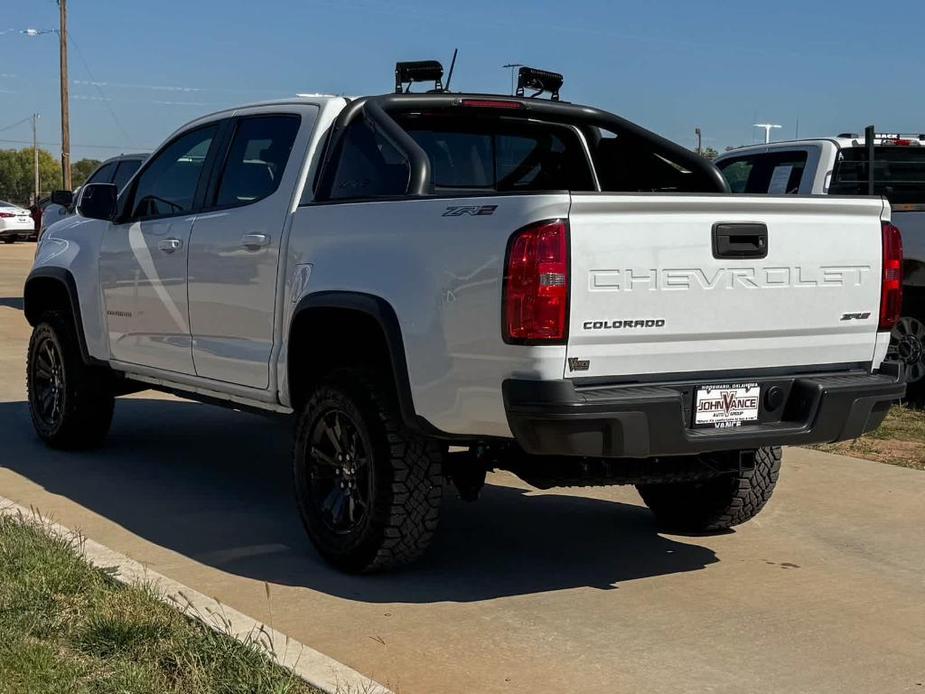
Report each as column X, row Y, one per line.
column 536, row 285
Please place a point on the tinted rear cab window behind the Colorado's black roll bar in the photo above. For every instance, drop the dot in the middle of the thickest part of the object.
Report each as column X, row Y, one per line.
column 499, row 155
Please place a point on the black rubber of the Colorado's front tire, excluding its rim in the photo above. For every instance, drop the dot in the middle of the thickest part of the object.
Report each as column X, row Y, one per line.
column 86, row 397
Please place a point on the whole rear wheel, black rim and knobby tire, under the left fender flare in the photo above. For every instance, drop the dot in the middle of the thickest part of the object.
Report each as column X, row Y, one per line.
column 367, row 488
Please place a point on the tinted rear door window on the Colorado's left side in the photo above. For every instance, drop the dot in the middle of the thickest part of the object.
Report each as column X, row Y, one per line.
column 257, row 159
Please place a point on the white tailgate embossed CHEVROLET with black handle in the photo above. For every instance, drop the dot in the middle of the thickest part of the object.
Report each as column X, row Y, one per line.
column 672, row 284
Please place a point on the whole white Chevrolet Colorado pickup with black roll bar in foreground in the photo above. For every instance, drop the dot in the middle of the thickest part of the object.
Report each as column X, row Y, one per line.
column 537, row 286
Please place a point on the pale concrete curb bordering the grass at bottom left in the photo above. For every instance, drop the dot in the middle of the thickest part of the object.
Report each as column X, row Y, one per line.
column 319, row 670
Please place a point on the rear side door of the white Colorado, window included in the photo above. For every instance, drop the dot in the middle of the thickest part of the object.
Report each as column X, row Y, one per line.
column 235, row 247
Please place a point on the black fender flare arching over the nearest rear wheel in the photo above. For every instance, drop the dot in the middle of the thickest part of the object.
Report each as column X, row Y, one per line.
column 384, row 315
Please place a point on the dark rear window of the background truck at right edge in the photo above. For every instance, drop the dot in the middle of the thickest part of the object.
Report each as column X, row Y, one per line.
column 899, row 173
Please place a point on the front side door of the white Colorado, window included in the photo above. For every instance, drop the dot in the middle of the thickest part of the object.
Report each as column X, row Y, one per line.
column 144, row 254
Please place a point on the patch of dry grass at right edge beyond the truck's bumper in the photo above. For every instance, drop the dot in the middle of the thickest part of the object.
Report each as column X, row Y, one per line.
column 900, row 440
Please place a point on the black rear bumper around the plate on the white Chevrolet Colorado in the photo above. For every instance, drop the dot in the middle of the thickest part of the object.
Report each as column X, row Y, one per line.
column 638, row 421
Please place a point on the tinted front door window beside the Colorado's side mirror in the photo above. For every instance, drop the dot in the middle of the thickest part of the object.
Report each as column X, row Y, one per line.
column 168, row 184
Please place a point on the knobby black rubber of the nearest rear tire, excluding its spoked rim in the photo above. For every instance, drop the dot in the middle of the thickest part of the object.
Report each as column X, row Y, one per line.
column 406, row 485
